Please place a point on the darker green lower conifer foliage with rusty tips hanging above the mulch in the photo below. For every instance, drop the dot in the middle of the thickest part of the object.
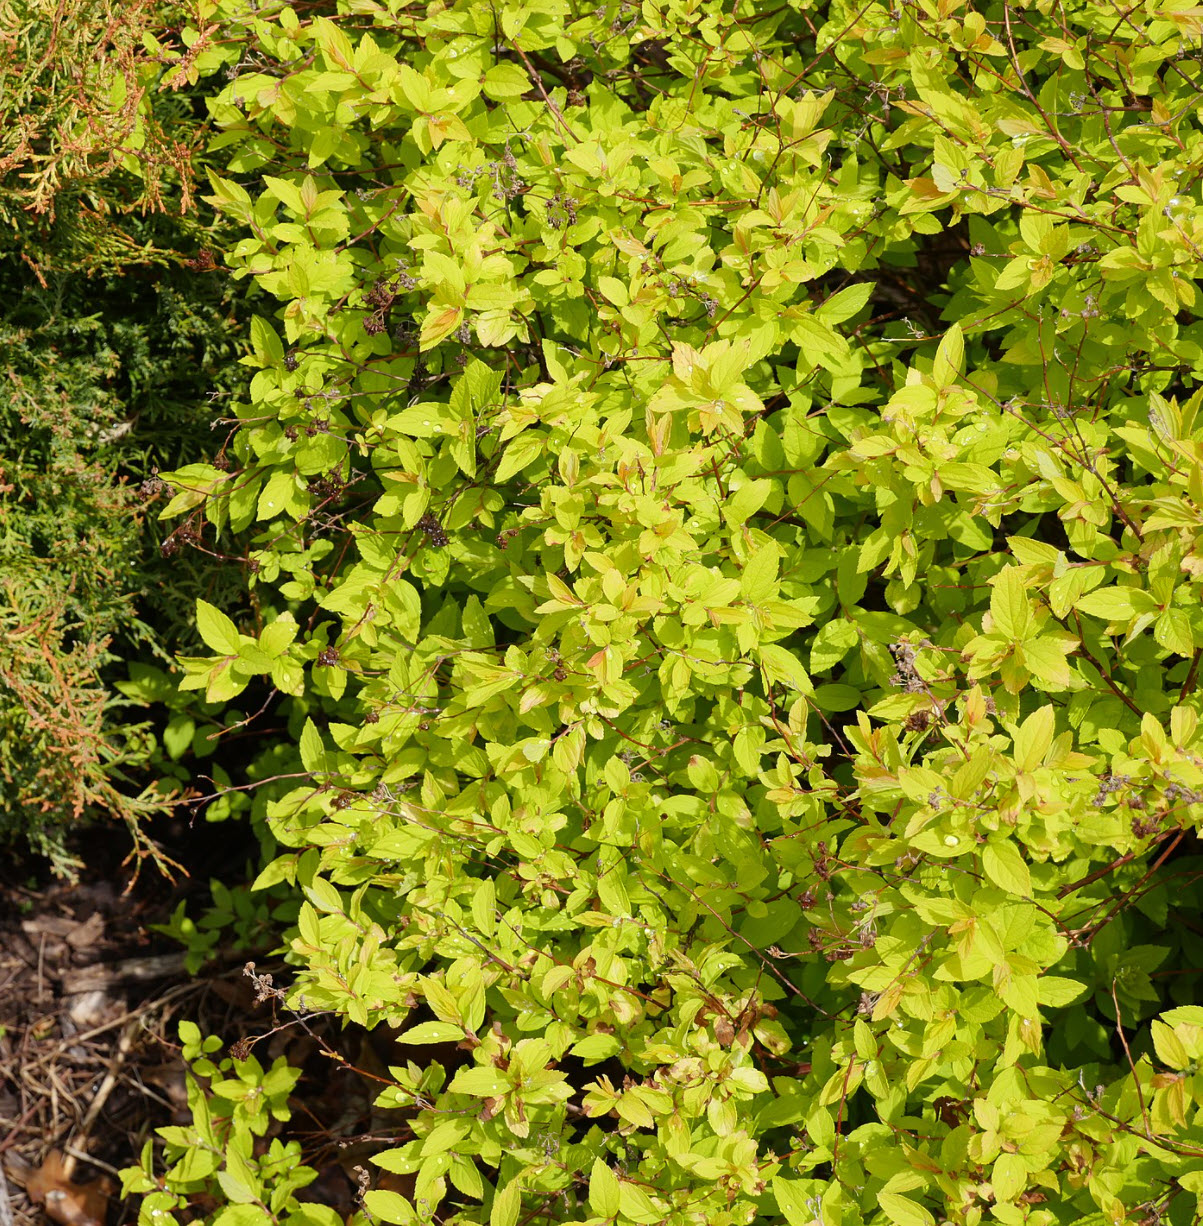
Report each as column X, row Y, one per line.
column 107, row 378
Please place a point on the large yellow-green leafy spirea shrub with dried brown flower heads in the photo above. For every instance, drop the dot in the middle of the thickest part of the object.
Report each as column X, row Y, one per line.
column 724, row 489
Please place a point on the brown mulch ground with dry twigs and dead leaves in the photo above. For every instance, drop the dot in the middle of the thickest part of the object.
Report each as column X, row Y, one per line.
column 90, row 1064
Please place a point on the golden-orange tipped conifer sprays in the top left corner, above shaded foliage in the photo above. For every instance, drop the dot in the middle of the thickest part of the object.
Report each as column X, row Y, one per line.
column 80, row 143
